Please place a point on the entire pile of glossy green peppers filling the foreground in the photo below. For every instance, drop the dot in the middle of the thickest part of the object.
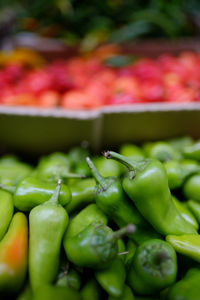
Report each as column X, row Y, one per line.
column 123, row 225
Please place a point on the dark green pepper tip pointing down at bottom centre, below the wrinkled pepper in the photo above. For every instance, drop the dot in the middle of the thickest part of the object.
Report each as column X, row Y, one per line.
column 112, row 279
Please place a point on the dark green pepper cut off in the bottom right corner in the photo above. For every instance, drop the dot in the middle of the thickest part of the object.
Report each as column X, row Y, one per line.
column 187, row 288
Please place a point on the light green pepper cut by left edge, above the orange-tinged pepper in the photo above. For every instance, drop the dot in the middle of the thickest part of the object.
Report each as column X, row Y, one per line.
column 6, row 211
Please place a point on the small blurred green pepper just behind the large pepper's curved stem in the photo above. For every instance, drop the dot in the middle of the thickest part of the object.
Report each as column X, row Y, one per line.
column 131, row 151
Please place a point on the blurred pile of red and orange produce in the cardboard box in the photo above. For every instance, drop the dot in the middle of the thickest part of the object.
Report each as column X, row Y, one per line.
column 87, row 82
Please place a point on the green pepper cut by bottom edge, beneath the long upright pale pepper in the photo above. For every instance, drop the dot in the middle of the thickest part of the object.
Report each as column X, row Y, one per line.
column 56, row 293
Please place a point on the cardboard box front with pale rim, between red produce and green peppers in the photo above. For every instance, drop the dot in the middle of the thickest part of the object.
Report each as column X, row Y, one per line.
column 34, row 131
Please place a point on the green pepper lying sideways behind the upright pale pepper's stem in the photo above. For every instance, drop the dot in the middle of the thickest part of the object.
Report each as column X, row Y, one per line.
column 31, row 192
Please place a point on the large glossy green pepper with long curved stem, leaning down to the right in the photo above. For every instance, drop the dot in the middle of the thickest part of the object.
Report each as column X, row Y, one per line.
column 147, row 186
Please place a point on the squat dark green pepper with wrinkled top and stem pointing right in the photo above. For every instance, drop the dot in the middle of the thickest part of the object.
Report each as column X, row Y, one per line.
column 97, row 244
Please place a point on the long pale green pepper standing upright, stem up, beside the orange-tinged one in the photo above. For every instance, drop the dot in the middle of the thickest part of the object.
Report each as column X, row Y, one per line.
column 47, row 224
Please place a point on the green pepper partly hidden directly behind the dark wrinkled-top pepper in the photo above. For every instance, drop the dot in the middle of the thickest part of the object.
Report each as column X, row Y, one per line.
column 85, row 217
